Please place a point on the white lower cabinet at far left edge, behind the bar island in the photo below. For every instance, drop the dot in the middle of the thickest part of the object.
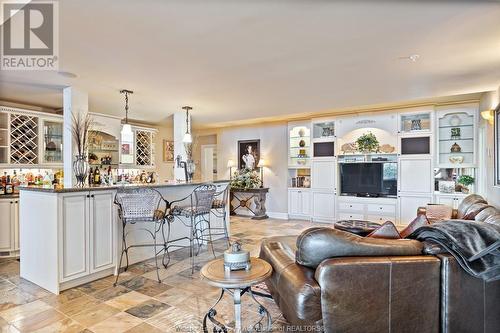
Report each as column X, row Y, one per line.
column 9, row 226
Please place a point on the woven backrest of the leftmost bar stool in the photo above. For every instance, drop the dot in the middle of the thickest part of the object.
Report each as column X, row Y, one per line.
column 138, row 205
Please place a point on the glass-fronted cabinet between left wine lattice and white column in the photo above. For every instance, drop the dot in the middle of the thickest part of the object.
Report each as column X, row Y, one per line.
column 52, row 142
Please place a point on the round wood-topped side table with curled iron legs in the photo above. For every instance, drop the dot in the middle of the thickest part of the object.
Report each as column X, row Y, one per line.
column 236, row 283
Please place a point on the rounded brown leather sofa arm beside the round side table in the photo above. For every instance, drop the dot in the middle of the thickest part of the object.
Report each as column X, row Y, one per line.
column 292, row 286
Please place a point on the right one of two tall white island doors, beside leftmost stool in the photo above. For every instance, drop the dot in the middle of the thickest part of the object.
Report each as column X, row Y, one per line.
column 102, row 231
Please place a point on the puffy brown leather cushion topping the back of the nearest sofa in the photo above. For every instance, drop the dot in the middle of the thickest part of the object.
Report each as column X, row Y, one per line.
column 317, row 244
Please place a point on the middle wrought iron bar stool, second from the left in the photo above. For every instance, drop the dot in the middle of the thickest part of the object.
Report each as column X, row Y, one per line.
column 195, row 208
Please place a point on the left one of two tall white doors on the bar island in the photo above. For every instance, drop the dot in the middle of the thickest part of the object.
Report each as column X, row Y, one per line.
column 74, row 229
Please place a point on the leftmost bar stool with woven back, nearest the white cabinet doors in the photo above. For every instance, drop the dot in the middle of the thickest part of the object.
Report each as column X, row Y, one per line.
column 141, row 205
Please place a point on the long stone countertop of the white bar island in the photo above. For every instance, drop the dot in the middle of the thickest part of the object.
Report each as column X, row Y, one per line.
column 62, row 189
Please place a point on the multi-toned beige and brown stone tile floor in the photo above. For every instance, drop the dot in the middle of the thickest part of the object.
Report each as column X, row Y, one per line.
column 139, row 303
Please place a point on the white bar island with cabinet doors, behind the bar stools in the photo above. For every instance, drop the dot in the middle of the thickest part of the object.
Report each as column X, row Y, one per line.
column 71, row 236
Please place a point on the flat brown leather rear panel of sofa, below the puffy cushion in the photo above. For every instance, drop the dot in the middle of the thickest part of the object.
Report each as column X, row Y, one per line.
column 387, row 294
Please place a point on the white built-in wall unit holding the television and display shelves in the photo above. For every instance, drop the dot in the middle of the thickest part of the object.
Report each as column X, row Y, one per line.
column 421, row 154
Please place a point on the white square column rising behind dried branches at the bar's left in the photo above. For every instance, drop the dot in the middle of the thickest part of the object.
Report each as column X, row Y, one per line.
column 75, row 101
